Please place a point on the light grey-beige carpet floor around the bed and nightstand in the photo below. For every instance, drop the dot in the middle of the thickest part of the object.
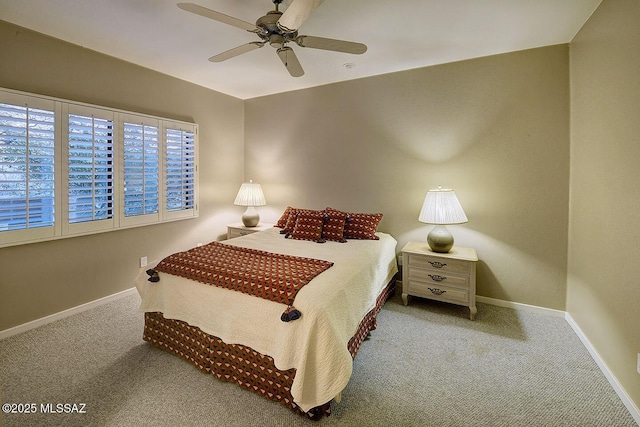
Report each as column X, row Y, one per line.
column 427, row 364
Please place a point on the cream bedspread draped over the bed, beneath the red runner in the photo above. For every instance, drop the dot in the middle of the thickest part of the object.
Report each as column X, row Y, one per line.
column 332, row 306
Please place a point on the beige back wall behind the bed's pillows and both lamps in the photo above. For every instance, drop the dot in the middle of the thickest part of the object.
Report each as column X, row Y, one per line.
column 494, row 129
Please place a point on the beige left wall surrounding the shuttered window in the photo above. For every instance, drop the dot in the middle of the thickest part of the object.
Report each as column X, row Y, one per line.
column 44, row 278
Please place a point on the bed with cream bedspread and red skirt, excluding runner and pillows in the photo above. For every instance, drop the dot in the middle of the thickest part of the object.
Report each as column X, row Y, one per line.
column 304, row 363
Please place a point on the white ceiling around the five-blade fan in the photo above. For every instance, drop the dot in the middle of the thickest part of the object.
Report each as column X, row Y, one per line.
column 400, row 35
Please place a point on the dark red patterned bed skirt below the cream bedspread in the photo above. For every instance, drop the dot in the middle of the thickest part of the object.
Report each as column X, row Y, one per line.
column 241, row 364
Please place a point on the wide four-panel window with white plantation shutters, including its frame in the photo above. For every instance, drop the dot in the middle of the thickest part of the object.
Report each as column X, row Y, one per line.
column 69, row 169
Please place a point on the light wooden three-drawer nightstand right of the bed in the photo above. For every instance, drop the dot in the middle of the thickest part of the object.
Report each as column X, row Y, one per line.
column 448, row 277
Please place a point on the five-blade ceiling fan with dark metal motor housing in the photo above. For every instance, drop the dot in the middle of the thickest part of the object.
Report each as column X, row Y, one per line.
column 278, row 29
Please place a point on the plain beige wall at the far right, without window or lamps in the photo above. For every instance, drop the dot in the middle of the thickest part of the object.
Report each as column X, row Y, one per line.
column 603, row 289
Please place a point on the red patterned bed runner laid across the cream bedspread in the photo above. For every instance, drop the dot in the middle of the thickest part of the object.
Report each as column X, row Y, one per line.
column 275, row 277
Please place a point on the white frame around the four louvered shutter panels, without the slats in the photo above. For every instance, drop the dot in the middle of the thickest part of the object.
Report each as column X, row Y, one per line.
column 62, row 228
